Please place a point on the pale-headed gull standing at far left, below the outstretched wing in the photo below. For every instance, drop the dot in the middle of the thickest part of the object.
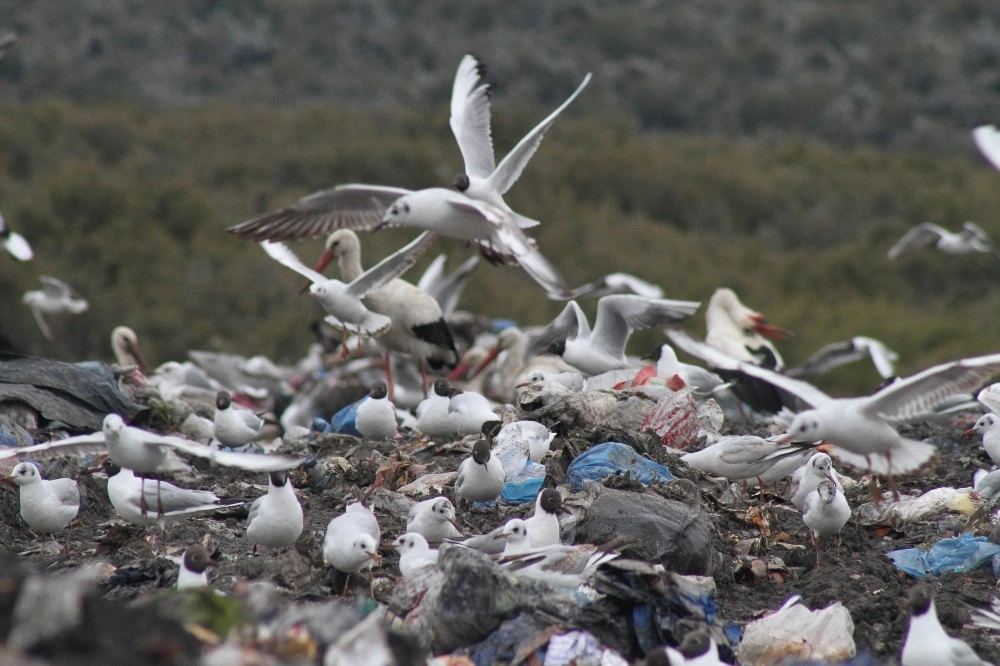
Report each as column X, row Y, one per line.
column 47, row 505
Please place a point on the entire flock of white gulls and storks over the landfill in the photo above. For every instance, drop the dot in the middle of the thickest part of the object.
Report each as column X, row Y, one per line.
column 471, row 401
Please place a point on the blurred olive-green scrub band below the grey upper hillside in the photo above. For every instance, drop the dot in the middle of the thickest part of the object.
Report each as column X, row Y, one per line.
column 129, row 207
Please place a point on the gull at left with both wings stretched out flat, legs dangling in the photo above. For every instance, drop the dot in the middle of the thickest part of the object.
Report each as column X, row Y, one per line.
column 147, row 453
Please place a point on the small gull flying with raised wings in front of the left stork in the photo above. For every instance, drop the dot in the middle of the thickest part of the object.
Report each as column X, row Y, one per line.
column 346, row 304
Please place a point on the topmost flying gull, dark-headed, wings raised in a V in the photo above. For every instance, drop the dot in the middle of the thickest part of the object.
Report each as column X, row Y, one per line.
column 470, row 122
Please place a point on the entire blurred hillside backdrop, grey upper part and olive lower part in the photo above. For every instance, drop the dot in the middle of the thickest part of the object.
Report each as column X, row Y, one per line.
column 710, row 149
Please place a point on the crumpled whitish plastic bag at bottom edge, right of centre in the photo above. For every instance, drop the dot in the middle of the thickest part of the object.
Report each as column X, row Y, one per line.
column 795, row 632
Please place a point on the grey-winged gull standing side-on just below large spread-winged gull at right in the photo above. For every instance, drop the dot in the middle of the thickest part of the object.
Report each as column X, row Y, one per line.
column 747, row 457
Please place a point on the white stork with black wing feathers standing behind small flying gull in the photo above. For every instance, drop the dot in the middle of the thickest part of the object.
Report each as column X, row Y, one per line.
column 418, row 325
